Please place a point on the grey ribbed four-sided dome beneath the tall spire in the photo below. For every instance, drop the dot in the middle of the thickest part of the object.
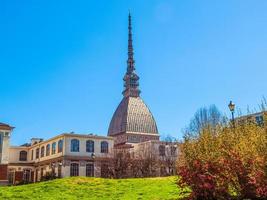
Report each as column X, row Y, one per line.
column 132, row 116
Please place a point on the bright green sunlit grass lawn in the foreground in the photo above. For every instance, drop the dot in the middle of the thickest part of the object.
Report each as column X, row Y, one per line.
column 97, row 188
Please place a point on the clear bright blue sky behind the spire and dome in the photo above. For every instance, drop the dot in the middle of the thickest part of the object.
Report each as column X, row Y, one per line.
column 62, row 62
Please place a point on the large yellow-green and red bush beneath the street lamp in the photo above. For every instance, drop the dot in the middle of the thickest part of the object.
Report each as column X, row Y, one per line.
column 225, row 161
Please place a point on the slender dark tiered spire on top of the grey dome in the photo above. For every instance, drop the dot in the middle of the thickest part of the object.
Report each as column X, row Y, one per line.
column 131, row 79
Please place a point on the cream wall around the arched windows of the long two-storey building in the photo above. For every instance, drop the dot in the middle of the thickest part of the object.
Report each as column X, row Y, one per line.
column 39, row 167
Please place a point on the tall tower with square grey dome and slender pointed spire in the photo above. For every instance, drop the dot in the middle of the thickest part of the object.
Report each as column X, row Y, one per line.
column 132, row 121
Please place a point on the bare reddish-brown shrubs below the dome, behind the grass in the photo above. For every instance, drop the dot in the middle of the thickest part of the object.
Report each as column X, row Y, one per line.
column 143, row 163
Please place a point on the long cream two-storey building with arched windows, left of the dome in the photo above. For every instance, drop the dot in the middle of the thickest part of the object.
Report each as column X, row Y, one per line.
column 65, row 155
